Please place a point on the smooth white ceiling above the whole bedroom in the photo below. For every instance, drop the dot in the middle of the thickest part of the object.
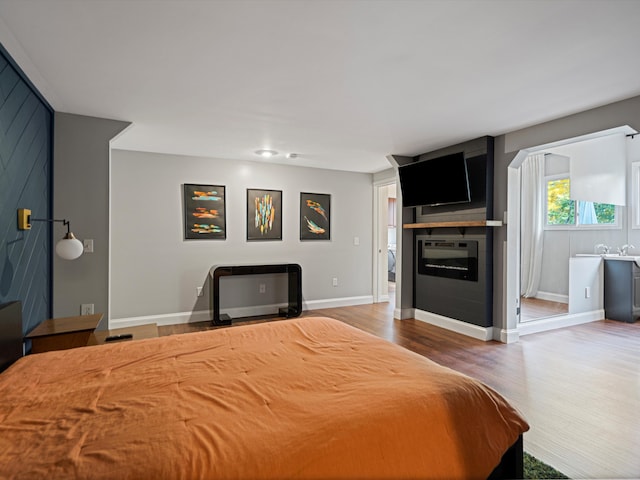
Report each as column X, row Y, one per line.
column 343, row 83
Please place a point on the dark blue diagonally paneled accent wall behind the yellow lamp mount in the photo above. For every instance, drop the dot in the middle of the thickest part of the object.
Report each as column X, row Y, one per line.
column 25, row 182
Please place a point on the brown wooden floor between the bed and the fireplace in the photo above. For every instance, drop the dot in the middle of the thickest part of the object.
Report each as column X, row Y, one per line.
column 578, row 387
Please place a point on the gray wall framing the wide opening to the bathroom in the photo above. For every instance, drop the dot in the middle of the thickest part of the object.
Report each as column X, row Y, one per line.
column 625, row 112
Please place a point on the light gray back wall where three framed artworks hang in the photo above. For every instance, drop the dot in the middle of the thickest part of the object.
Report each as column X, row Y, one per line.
column 154, row 271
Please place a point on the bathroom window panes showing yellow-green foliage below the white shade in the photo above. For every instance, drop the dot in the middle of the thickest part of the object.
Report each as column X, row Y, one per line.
column 562, row 212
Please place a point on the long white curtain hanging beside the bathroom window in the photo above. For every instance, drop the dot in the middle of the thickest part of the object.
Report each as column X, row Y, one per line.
column 532, row 224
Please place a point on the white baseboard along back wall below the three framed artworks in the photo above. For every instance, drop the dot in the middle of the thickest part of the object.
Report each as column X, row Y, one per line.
column 241, row 312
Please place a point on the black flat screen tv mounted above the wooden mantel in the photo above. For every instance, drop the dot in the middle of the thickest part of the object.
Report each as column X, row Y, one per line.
column 439, row 181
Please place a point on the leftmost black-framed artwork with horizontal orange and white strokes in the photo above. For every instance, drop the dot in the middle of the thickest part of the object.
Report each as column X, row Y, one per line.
column 204, row 212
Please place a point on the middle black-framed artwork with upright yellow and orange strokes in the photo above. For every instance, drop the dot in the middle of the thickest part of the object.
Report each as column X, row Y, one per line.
column 264, row 214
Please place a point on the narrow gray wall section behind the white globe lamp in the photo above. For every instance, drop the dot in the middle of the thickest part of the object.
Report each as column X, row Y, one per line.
column 81, row 195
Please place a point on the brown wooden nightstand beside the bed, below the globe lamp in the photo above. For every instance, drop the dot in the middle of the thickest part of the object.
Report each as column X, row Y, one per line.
column 63, row 333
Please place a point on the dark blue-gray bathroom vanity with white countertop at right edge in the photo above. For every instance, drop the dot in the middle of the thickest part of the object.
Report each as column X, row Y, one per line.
column 622, row 288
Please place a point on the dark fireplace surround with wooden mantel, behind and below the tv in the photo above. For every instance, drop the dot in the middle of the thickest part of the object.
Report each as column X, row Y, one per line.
column 453, row 266
